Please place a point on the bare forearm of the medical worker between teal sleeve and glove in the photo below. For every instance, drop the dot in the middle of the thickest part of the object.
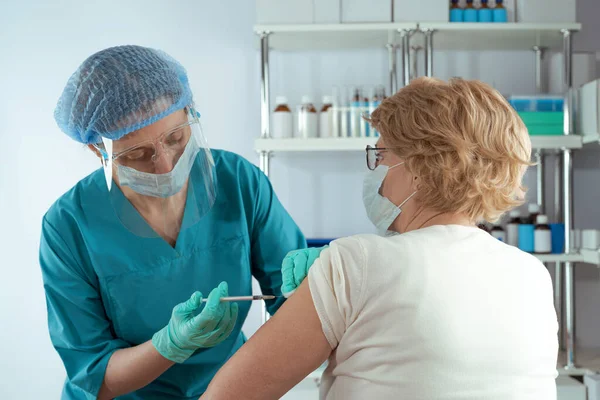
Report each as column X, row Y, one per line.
column 132, row 369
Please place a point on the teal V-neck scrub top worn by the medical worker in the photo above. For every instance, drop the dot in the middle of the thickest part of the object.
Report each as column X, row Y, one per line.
column 108, row 289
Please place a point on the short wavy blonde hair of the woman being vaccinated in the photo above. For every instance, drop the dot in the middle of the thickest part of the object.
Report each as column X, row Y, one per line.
column 467, row 145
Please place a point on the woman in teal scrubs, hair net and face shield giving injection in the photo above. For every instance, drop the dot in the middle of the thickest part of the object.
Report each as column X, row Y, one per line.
column 127, row 253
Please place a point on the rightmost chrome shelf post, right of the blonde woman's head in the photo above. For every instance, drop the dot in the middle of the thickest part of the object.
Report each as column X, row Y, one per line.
column 567, row 209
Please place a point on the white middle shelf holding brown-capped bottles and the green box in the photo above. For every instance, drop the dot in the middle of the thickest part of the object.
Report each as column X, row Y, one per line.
column 359, row 144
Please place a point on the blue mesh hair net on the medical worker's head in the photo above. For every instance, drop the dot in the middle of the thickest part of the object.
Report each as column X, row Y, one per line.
column 120, row 90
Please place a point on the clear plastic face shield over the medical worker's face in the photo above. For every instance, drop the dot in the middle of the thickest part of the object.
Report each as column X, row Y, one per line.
column 161, row 178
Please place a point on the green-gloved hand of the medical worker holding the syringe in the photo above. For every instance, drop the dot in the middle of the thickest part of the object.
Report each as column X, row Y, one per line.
column 186, row 333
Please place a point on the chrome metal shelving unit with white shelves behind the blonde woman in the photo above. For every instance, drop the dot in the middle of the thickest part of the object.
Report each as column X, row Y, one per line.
column 449, row 36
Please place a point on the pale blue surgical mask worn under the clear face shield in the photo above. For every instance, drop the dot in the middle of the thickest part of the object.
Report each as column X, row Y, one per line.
column 161, row 185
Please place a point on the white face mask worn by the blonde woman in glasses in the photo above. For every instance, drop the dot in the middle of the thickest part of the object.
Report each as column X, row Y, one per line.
column 380, row 210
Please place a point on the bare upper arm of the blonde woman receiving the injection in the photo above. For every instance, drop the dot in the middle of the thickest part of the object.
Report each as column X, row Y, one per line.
column 285, row 350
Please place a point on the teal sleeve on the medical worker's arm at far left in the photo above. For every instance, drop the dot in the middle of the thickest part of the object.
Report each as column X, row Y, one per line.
column 79, row 328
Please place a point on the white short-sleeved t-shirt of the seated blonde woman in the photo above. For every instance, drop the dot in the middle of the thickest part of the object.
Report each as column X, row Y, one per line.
column 444, row 312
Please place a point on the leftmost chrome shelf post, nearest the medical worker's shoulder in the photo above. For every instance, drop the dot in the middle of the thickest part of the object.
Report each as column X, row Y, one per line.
column 265, row 132
